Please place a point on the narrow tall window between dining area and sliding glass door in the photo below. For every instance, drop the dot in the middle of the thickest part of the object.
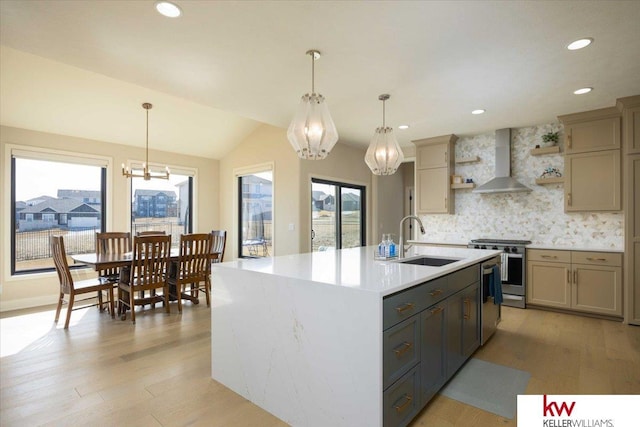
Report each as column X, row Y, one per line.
column 255, row 214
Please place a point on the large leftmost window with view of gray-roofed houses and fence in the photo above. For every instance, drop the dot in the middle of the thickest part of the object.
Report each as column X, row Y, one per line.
column 48, row 197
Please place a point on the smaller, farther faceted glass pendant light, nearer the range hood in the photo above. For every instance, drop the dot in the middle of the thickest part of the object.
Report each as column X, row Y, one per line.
column 384, row 155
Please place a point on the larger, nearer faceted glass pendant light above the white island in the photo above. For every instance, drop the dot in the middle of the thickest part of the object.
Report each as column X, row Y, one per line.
column 312, row 132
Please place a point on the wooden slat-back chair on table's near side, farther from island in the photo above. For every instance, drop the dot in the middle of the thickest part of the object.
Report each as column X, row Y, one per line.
column 148, row 272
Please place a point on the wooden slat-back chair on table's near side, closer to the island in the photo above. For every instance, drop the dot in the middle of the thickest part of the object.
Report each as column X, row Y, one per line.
column 192, row 268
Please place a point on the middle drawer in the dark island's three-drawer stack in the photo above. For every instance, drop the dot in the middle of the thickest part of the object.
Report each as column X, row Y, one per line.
column 400, row 350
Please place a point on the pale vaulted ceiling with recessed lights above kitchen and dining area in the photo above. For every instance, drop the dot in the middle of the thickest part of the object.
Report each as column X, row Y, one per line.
column 83, row 68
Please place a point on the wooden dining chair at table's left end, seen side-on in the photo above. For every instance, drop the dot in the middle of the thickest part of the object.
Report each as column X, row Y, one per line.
column 72, row 288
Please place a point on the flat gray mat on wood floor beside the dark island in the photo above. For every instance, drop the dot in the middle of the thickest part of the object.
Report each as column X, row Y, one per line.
column 493, row 388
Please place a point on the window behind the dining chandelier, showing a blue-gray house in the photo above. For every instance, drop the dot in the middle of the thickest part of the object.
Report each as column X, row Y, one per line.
column 163, row 205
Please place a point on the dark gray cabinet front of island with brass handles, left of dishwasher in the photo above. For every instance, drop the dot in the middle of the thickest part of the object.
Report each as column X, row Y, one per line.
column 430, row 331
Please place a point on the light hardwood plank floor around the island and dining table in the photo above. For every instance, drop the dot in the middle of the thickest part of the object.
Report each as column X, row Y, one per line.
column 157, row 372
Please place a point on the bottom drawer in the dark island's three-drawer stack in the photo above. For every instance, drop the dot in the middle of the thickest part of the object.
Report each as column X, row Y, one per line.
column 401, row 402
